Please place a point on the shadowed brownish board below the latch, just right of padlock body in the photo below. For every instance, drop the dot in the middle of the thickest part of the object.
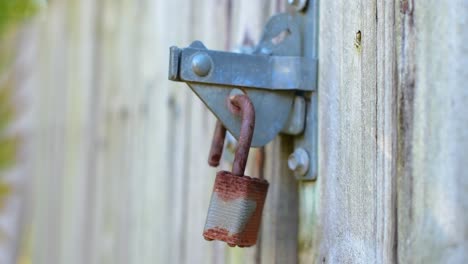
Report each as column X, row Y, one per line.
column 279, row 234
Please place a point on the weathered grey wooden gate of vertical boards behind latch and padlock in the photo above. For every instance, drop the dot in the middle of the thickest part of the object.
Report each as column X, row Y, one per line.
column 116, row 153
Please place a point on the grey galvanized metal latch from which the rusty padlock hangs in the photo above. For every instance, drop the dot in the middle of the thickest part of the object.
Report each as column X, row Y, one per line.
column 276, row 77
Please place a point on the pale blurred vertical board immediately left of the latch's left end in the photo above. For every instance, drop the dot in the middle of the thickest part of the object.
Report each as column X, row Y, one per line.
column 152, row 178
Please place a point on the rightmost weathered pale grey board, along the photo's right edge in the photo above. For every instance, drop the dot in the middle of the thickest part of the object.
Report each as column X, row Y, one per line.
column 433, row 183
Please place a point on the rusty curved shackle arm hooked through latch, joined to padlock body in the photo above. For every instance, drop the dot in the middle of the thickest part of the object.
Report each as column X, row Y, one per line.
column 243, row 107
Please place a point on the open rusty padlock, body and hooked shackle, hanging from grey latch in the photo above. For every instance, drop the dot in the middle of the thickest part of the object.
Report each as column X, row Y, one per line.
column 236, row 206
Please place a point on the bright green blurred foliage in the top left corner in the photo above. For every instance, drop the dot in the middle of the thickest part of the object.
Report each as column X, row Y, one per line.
column 13, row 11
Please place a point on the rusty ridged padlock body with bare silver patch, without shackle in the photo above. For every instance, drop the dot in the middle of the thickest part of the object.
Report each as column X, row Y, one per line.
column 235, row 210
